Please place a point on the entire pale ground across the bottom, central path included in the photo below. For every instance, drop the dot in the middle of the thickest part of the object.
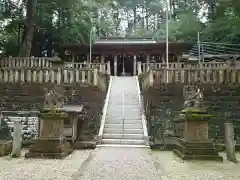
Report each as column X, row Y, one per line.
column 111, row 163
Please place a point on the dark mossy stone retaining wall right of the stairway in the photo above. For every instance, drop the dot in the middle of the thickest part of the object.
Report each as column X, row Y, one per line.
column 163, row 103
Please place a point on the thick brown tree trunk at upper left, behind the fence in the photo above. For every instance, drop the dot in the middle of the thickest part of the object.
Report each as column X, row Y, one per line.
column 25, row 50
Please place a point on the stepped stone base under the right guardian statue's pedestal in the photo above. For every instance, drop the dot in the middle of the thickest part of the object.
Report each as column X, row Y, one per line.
column 196, row 150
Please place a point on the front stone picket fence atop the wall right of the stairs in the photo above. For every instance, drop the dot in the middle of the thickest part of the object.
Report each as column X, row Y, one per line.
column 191, row 76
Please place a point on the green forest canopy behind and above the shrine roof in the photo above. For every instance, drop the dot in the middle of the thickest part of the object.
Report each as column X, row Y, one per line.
column 36, row 27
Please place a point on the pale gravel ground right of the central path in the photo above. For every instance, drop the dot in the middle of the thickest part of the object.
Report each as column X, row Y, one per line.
column 172, row 168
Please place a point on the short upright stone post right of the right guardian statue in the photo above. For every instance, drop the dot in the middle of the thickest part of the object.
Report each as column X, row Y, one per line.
column 229, row 141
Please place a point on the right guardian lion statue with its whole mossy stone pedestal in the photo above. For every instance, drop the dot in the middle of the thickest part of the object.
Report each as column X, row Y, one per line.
column 194, row 143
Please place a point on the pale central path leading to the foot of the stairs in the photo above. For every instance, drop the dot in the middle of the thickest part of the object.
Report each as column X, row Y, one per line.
column 108, row 163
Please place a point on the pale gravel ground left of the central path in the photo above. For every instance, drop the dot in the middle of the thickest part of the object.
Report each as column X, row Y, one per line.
column 40, row 169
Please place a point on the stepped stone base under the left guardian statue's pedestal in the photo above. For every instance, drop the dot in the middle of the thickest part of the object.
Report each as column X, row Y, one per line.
column 50, row 148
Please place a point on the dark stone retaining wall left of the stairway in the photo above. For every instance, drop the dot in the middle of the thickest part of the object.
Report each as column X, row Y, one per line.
column 30, row 97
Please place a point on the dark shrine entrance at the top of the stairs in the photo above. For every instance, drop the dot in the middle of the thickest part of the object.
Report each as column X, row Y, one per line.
column 125, row 65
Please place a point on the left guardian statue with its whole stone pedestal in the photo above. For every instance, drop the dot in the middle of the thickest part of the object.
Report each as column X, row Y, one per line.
column 52, row 142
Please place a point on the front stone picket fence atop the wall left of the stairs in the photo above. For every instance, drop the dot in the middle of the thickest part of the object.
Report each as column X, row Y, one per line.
column 53, row 75
